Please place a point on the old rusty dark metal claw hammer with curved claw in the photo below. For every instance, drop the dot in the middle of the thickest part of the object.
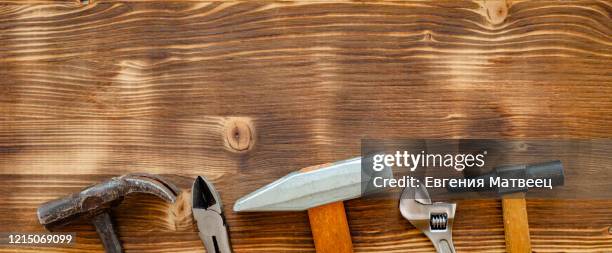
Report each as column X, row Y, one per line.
column 95, row 201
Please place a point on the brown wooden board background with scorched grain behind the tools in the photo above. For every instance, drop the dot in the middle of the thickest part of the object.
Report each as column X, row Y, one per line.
column 246, row 92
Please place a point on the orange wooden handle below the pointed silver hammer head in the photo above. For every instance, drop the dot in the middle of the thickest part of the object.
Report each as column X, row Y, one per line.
column 330, row 229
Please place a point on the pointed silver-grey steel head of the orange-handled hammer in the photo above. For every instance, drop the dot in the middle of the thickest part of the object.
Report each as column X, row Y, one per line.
column 310, row 187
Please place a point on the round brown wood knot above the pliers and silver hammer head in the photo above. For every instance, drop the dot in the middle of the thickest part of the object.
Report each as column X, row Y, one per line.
column 239, row 134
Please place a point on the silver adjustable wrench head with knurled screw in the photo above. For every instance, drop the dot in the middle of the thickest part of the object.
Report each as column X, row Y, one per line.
column 433, row 219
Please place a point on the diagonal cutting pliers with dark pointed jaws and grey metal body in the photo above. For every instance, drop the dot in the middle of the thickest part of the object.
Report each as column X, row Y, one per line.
column 208, row 213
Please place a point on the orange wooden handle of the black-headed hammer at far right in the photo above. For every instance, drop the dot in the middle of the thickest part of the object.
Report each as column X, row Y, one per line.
column 516, row 223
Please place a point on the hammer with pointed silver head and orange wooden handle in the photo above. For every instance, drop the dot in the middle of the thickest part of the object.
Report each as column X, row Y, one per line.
column 319, row 189
